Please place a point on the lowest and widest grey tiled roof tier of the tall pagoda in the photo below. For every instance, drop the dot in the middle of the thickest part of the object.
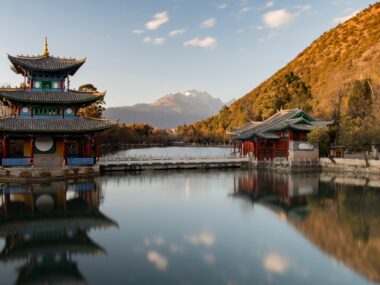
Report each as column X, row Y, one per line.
column 53, row 125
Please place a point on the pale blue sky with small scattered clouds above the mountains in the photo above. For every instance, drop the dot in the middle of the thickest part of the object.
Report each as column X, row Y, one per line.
column 140, row 50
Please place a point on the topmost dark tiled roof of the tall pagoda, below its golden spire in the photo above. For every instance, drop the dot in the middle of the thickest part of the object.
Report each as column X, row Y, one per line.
column 45, row 63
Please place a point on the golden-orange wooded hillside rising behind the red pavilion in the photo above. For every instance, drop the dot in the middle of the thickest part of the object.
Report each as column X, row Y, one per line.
column 321, row 79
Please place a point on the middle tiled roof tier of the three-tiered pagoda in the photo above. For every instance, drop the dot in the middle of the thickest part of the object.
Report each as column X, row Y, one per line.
column 49, row 97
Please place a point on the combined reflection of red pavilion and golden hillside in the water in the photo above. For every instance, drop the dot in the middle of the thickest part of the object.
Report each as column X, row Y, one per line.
column 341, row 220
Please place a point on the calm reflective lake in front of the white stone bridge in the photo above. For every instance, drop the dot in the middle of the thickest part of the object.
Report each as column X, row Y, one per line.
column 191, row 227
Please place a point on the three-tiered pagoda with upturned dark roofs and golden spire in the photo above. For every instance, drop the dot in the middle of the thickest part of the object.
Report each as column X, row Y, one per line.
column 42, row 126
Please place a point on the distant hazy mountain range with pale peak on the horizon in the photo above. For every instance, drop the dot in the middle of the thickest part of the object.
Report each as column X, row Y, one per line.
column 169, row 111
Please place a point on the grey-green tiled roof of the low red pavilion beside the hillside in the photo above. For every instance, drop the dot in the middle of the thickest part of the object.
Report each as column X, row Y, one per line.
column 285, row 119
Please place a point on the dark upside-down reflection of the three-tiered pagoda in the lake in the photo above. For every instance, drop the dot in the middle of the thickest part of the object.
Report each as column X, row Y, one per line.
column 46, row 225
